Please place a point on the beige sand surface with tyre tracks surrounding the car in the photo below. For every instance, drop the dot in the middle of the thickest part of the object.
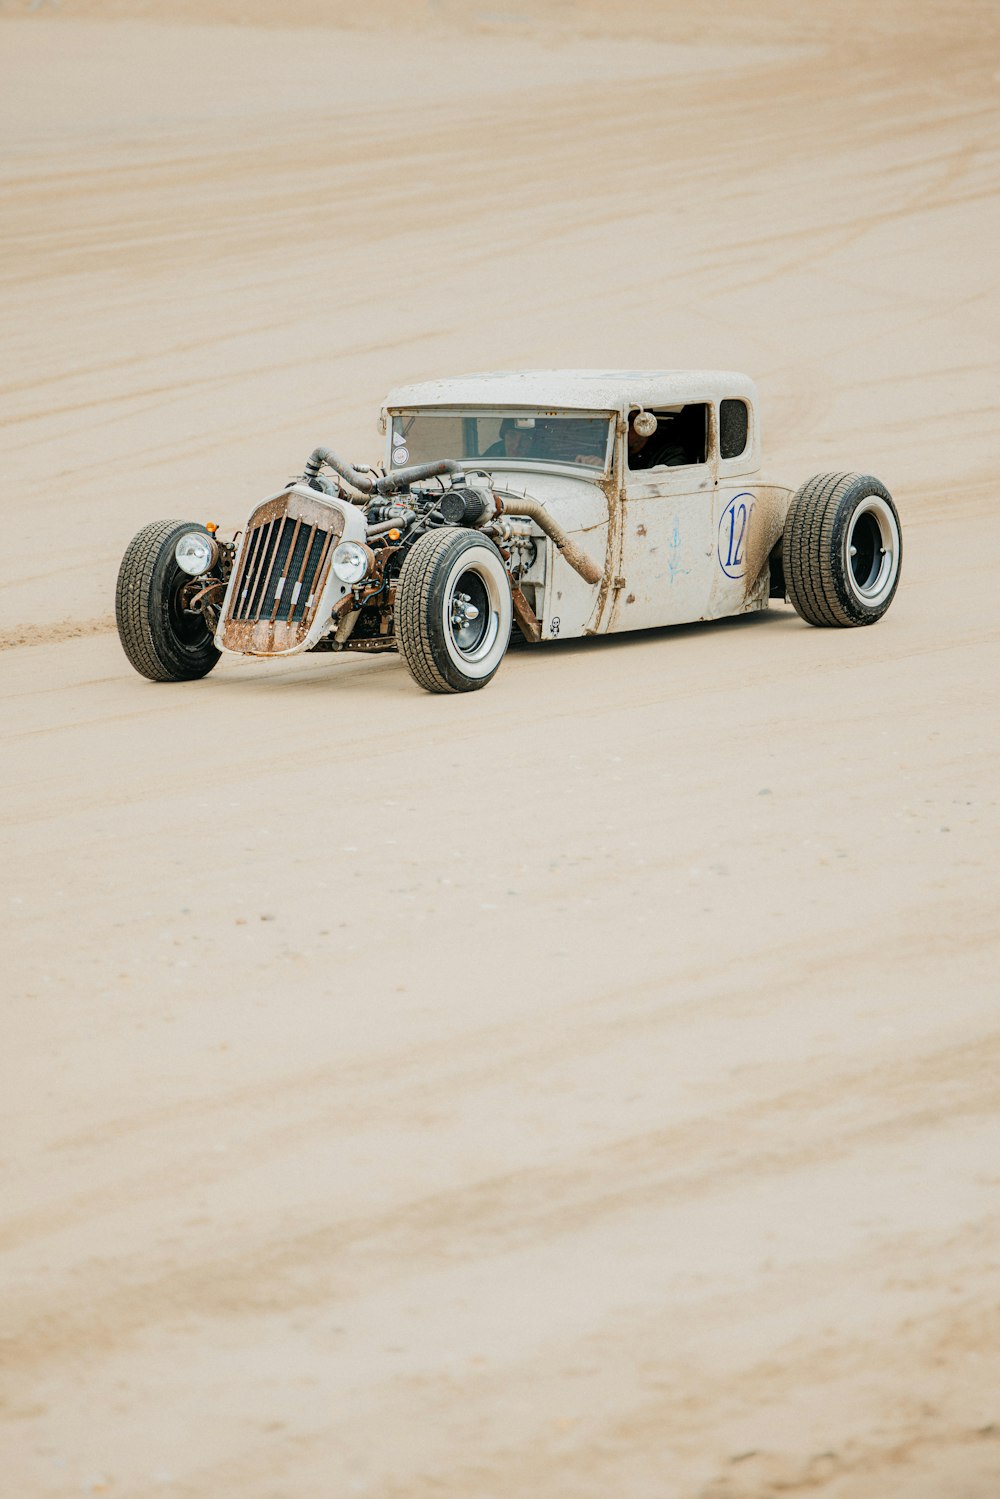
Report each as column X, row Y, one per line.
column 587, row 1088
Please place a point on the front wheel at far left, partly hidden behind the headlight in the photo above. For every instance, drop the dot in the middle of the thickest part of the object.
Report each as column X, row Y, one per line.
column 160, row 638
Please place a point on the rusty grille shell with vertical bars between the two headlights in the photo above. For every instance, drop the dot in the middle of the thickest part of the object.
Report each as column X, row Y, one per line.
column 280, row 575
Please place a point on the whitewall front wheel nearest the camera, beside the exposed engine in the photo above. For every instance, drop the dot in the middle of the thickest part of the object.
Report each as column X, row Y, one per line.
column 454, row 611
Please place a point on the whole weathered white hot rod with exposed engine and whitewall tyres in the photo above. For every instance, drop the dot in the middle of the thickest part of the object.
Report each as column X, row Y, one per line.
column 545, row 503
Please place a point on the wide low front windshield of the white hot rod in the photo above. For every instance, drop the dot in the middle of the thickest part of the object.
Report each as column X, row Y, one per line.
column 501, row 437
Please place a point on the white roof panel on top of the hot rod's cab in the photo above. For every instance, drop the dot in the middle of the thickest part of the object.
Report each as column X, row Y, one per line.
column 575, row 390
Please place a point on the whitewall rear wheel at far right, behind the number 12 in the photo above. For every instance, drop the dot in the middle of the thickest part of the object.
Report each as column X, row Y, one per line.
column 842, row 551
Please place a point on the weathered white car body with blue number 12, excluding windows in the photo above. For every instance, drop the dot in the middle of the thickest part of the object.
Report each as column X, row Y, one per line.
column 654, row 533
